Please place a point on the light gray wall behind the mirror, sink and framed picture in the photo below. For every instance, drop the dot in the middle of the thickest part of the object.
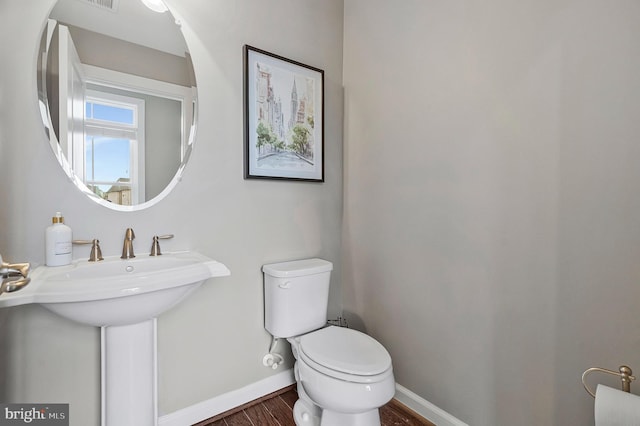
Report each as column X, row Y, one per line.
column 214, row 341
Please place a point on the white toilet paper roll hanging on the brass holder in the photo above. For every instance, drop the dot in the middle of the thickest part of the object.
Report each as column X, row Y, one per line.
column 616, row 408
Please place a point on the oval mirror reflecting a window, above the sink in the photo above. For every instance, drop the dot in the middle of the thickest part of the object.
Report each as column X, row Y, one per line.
column 117, row 95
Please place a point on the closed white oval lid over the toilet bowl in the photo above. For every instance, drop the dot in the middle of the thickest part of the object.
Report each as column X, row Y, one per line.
column 345, row 350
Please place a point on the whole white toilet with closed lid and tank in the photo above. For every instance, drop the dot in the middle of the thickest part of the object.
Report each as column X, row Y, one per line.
column 343, row 376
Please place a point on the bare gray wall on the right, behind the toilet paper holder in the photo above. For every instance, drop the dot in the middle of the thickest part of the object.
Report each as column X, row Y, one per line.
column 492, row 199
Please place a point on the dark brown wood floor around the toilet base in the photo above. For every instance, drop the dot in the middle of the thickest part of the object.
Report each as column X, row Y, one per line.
column 276, row 409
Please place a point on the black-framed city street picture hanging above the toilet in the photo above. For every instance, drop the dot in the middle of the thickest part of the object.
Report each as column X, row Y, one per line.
column 283, row 118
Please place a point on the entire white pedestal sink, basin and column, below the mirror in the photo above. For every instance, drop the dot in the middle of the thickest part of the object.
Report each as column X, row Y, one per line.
column 123, row 298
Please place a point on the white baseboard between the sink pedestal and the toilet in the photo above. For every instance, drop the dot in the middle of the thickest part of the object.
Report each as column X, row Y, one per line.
column 225, row 402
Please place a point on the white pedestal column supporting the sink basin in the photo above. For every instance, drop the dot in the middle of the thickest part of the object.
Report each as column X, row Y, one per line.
column 129, row 375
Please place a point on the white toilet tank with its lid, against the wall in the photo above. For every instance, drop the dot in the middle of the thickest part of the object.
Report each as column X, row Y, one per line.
column 296, row 295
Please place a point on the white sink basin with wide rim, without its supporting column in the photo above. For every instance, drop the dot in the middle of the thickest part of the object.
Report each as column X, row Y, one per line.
column 116, row 291
